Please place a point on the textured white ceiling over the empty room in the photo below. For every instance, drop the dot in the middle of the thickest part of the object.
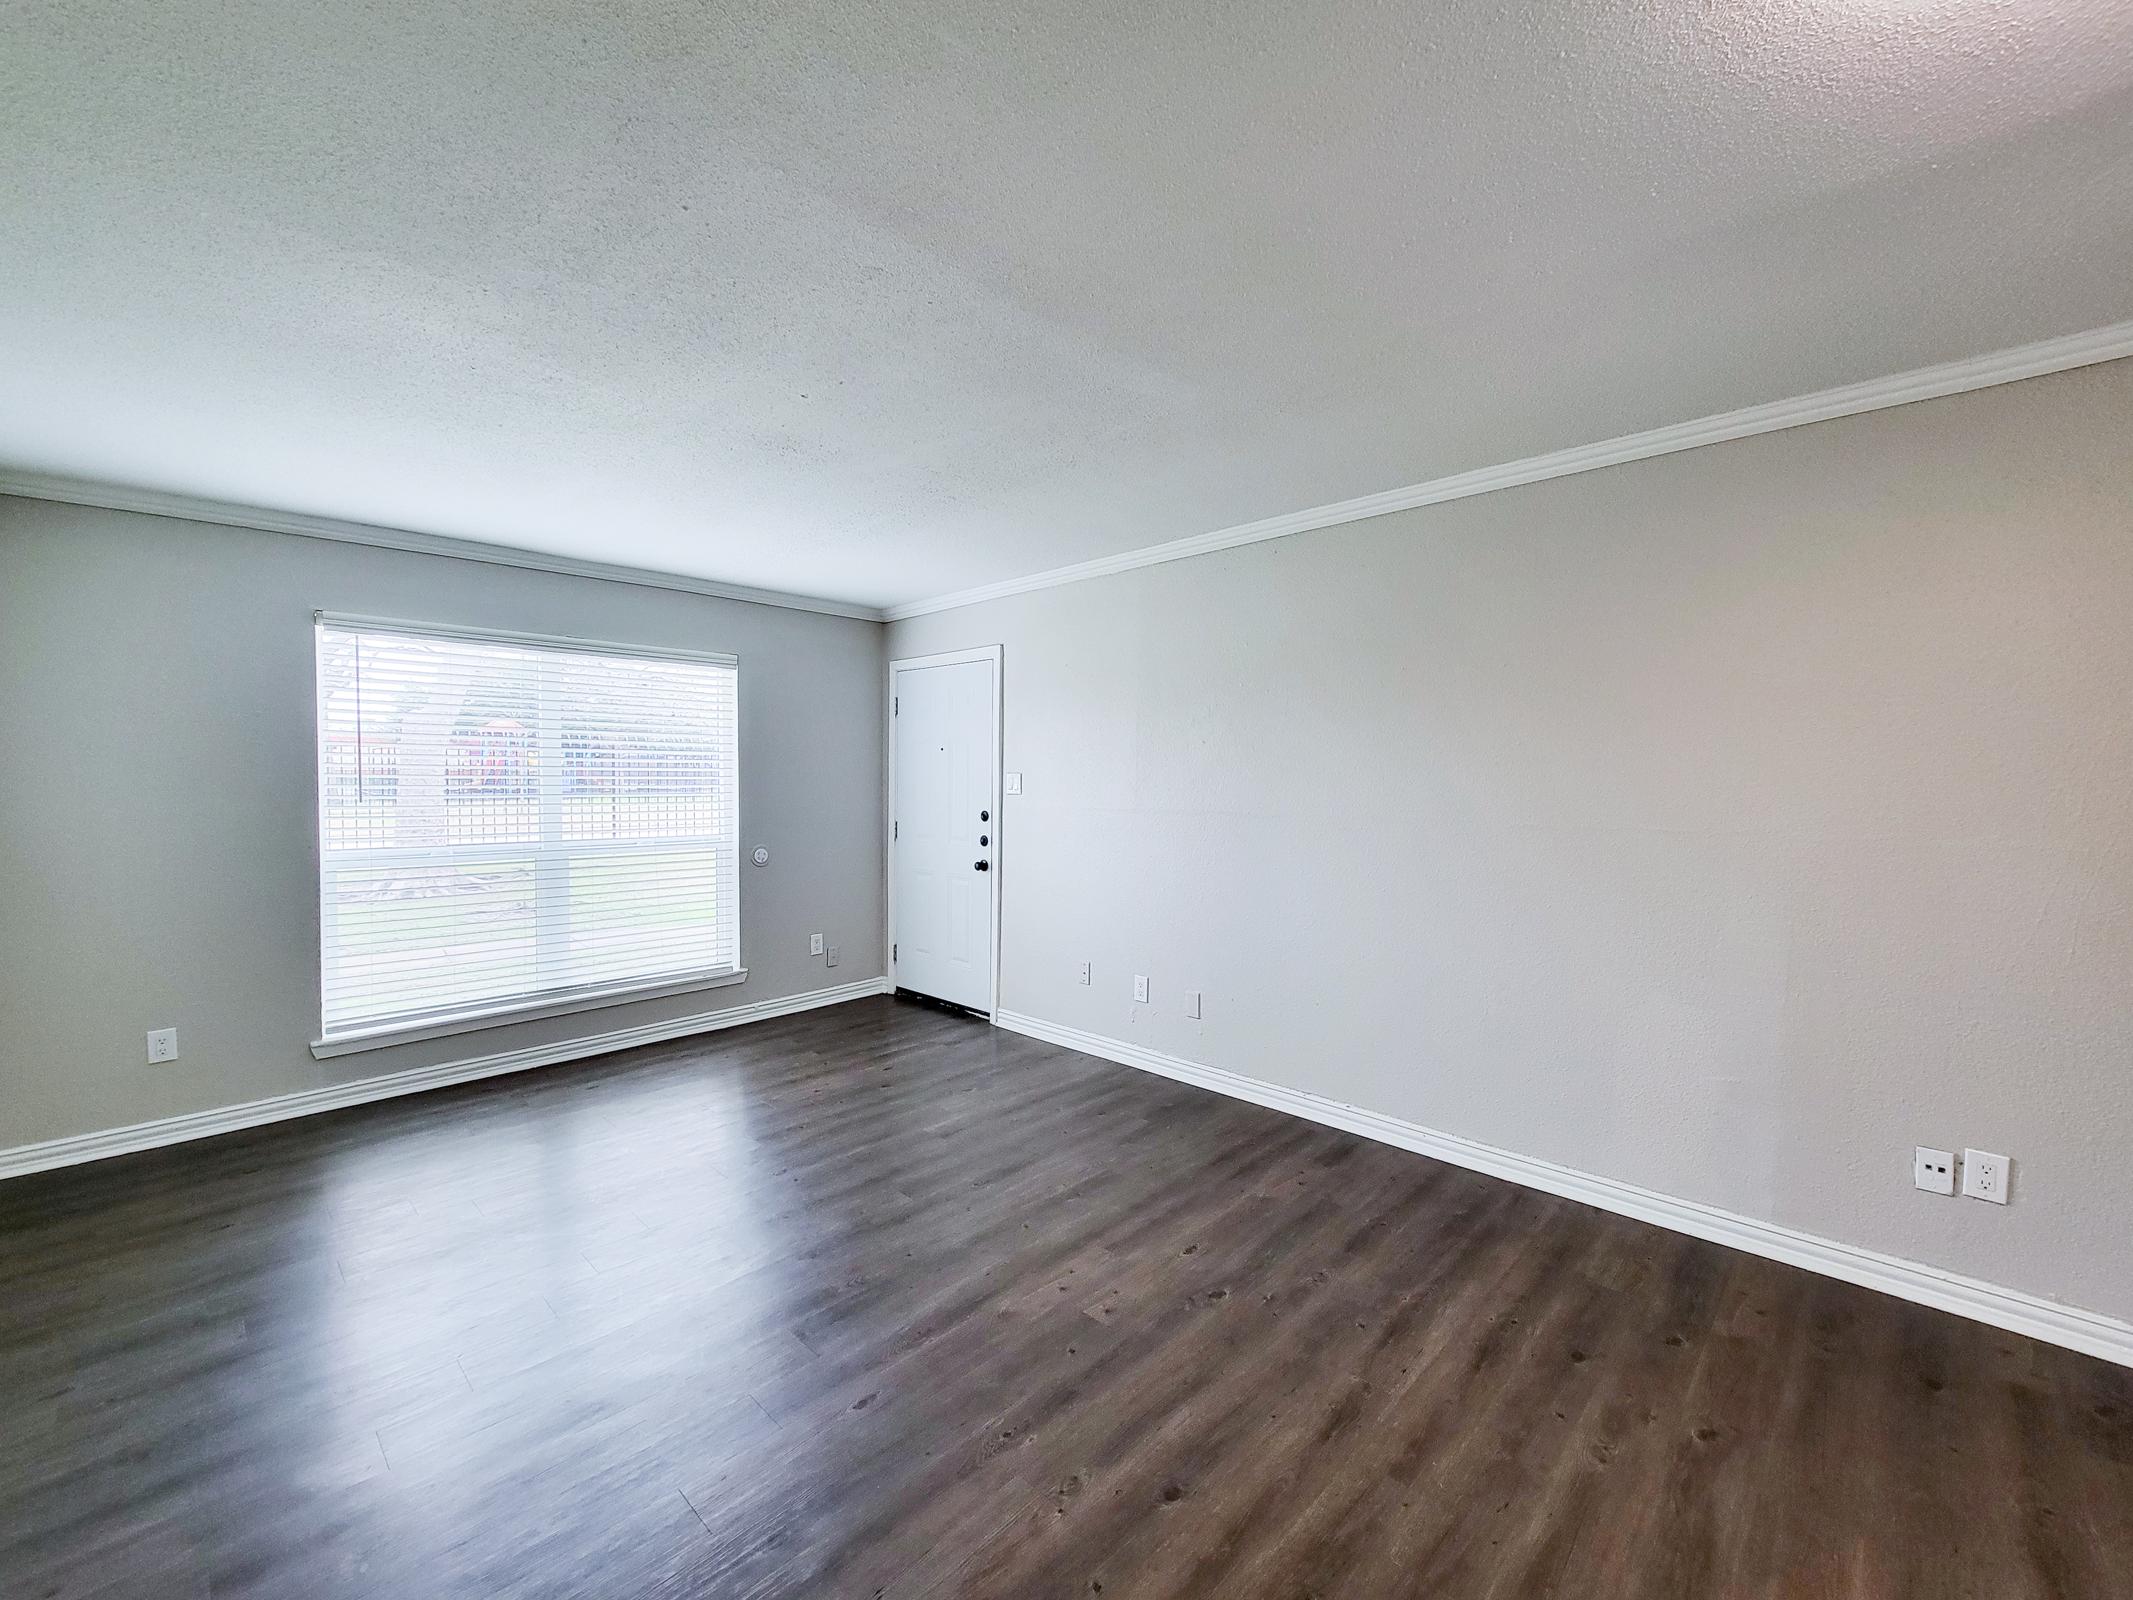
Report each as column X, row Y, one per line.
column 891, row 300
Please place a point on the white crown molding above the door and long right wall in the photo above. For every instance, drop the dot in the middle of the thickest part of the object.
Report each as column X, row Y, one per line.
column 1850, row 400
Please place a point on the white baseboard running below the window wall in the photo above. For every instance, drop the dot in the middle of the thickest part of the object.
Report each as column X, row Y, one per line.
column 227, row 1119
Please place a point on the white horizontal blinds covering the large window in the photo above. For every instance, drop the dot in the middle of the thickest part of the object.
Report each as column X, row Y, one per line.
column 509, row 822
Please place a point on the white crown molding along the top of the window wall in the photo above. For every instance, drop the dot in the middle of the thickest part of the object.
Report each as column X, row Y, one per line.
column 155, row 502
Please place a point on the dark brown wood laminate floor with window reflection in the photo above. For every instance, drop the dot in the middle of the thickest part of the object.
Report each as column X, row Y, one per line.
column 882, row 1302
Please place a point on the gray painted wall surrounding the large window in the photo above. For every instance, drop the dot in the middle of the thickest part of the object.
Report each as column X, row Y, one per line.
column 159, row 816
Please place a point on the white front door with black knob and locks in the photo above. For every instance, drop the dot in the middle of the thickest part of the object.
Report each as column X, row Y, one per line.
column 948, row 825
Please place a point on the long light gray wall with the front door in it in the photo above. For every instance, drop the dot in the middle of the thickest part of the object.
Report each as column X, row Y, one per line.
column 1727, row 825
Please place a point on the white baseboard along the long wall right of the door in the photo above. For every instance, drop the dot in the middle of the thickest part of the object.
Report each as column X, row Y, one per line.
column 2010, row 1309
